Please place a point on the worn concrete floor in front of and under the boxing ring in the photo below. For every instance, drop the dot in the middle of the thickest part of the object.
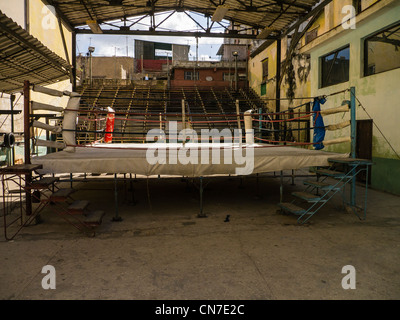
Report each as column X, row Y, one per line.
column 161, row 250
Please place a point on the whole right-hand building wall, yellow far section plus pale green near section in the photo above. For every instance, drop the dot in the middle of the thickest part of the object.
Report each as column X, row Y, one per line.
column 378, row 93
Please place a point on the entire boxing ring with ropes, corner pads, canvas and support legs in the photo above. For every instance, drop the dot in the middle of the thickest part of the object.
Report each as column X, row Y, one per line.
column 169, row 153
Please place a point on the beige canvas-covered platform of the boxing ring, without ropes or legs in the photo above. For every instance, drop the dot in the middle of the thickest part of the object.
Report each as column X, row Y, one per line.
column 136, row 158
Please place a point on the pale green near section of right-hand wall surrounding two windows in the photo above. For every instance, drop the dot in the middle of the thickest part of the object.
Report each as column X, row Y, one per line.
column 378, row 93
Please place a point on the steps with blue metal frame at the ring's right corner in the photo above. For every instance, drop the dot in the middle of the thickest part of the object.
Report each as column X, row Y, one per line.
column 329, row 182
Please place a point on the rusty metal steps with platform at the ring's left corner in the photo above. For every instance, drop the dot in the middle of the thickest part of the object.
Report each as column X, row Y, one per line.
column 43, row 192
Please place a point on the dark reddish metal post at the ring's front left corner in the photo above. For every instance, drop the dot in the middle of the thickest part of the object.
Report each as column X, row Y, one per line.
column 27, row 145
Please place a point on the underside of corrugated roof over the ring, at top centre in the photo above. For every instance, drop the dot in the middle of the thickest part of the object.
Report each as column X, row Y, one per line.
column 277, row 14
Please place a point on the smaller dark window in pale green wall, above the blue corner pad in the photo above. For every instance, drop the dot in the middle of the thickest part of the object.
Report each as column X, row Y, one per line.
column 335, row 67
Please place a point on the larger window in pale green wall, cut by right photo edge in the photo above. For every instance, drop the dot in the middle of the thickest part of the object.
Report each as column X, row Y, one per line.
column 382, row 51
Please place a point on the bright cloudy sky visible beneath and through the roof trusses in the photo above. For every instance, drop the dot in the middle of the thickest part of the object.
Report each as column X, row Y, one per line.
column 122, row 45
